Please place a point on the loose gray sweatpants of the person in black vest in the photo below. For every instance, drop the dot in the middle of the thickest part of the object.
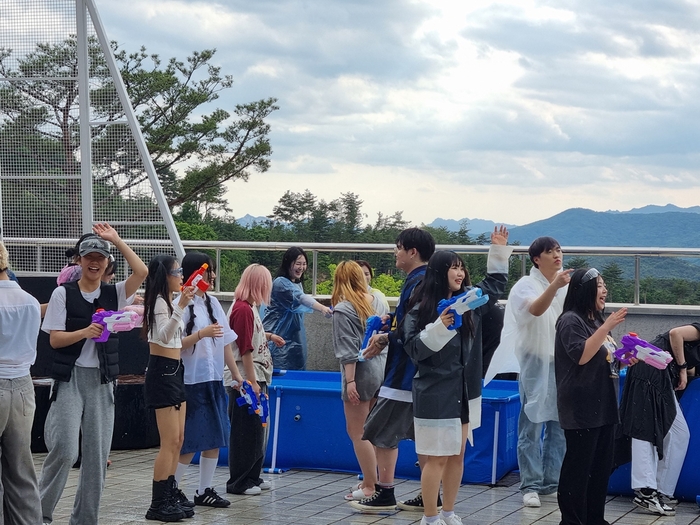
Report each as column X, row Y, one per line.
column 84, row 403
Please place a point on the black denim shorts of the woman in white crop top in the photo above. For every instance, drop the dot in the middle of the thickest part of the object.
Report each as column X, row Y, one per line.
column 165, row 383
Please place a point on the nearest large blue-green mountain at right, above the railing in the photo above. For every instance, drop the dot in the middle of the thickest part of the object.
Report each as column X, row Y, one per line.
column 582, row 227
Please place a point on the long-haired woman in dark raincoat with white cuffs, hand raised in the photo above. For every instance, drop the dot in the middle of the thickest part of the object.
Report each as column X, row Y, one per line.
column 447, row 384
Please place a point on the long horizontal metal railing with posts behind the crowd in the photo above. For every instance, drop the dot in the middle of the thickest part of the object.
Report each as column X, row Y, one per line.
column 43, row 265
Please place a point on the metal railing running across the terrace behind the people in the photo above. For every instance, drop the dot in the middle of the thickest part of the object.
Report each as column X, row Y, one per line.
column 313, row 248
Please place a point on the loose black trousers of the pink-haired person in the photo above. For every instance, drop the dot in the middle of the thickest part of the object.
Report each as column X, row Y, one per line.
column 247, row 443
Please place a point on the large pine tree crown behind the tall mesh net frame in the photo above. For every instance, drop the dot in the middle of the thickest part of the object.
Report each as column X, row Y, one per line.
column 194, row 148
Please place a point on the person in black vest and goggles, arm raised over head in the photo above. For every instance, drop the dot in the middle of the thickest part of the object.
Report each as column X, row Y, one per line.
column 84, row 374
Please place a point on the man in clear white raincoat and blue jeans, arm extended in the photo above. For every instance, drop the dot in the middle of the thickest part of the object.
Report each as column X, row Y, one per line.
column 534, row 304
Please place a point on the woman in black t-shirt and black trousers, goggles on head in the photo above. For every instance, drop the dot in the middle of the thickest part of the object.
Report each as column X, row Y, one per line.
column 586, row 381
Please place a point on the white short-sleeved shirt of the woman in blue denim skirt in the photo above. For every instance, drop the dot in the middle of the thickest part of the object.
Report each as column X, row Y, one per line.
column 205, row 361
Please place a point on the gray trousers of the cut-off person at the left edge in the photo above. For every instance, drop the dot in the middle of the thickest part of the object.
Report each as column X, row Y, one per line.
column 19, row 494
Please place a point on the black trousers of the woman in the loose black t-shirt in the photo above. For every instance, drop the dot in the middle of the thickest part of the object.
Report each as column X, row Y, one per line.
column 585, row 472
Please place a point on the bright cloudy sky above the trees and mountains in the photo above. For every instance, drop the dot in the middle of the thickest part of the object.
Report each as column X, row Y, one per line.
column 510, row 111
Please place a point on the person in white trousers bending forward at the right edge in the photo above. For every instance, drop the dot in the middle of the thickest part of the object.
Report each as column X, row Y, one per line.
column 660, row 443
